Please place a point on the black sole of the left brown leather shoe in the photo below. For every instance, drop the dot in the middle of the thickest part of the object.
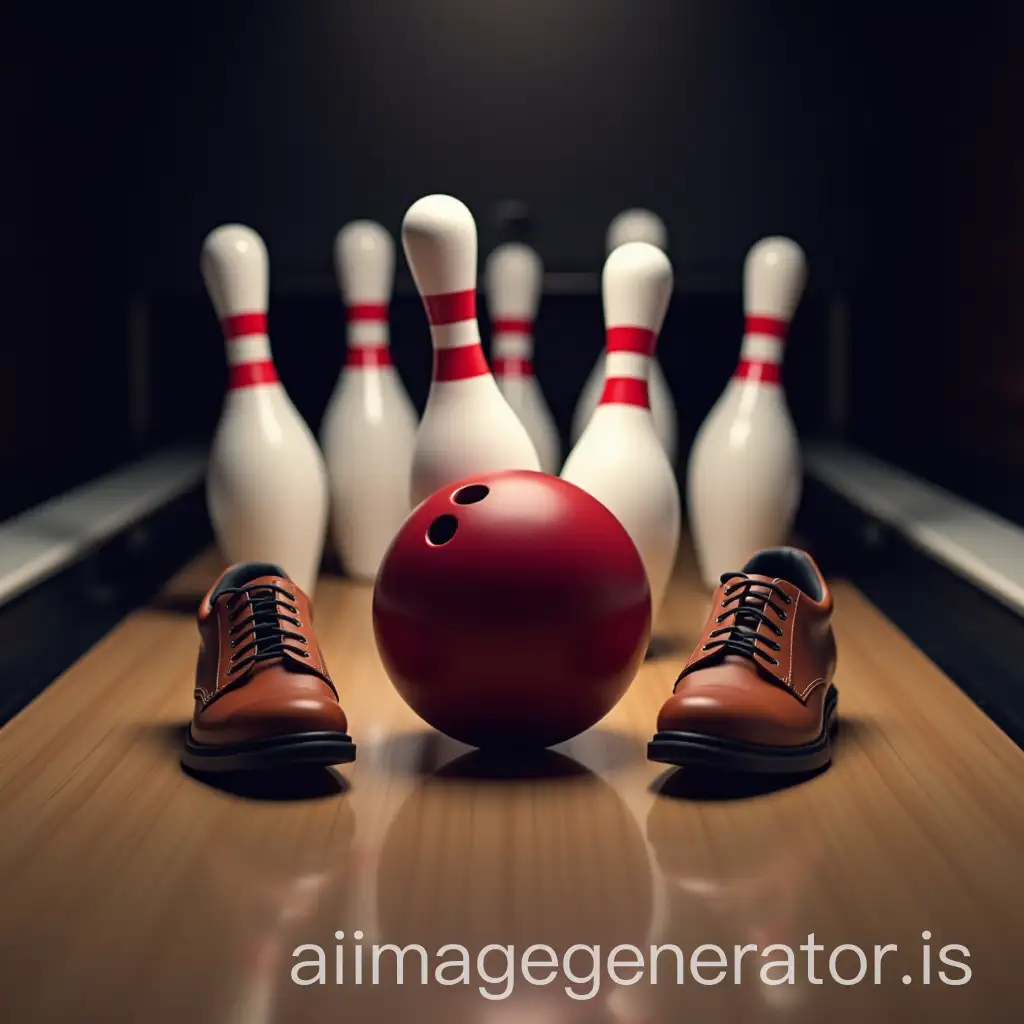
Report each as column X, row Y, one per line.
column 323, row 749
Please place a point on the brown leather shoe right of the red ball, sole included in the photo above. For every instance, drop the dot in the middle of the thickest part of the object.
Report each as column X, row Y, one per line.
column 757, row 694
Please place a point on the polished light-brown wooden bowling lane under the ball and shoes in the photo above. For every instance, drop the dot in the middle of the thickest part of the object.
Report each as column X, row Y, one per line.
column 133, row 892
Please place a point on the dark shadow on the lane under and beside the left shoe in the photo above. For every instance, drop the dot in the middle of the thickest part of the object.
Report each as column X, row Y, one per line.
column 280, row 786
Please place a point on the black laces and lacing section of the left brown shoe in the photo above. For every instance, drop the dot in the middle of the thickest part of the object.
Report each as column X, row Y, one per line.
column 263, row 635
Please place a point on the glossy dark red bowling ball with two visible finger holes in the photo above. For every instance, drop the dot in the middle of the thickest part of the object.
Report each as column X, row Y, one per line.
column 513, row 610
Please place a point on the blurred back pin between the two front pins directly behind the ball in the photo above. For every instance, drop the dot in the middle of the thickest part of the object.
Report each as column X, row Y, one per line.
column 514, row 279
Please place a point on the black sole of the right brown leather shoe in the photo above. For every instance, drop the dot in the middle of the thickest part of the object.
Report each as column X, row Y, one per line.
column 689, row 750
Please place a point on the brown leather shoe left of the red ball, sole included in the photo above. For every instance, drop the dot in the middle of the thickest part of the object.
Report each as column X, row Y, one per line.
column 264, row 696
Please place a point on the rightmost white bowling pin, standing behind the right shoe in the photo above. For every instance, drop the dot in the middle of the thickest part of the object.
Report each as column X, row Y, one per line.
column 745, row 476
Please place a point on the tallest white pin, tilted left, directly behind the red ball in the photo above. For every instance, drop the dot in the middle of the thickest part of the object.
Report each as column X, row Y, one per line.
column 467, row 426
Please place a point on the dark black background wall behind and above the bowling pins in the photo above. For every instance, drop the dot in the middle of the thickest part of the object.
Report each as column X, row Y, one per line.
column 887, row 144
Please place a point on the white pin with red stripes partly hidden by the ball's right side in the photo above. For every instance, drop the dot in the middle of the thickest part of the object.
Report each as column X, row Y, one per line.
column 620, row 459
